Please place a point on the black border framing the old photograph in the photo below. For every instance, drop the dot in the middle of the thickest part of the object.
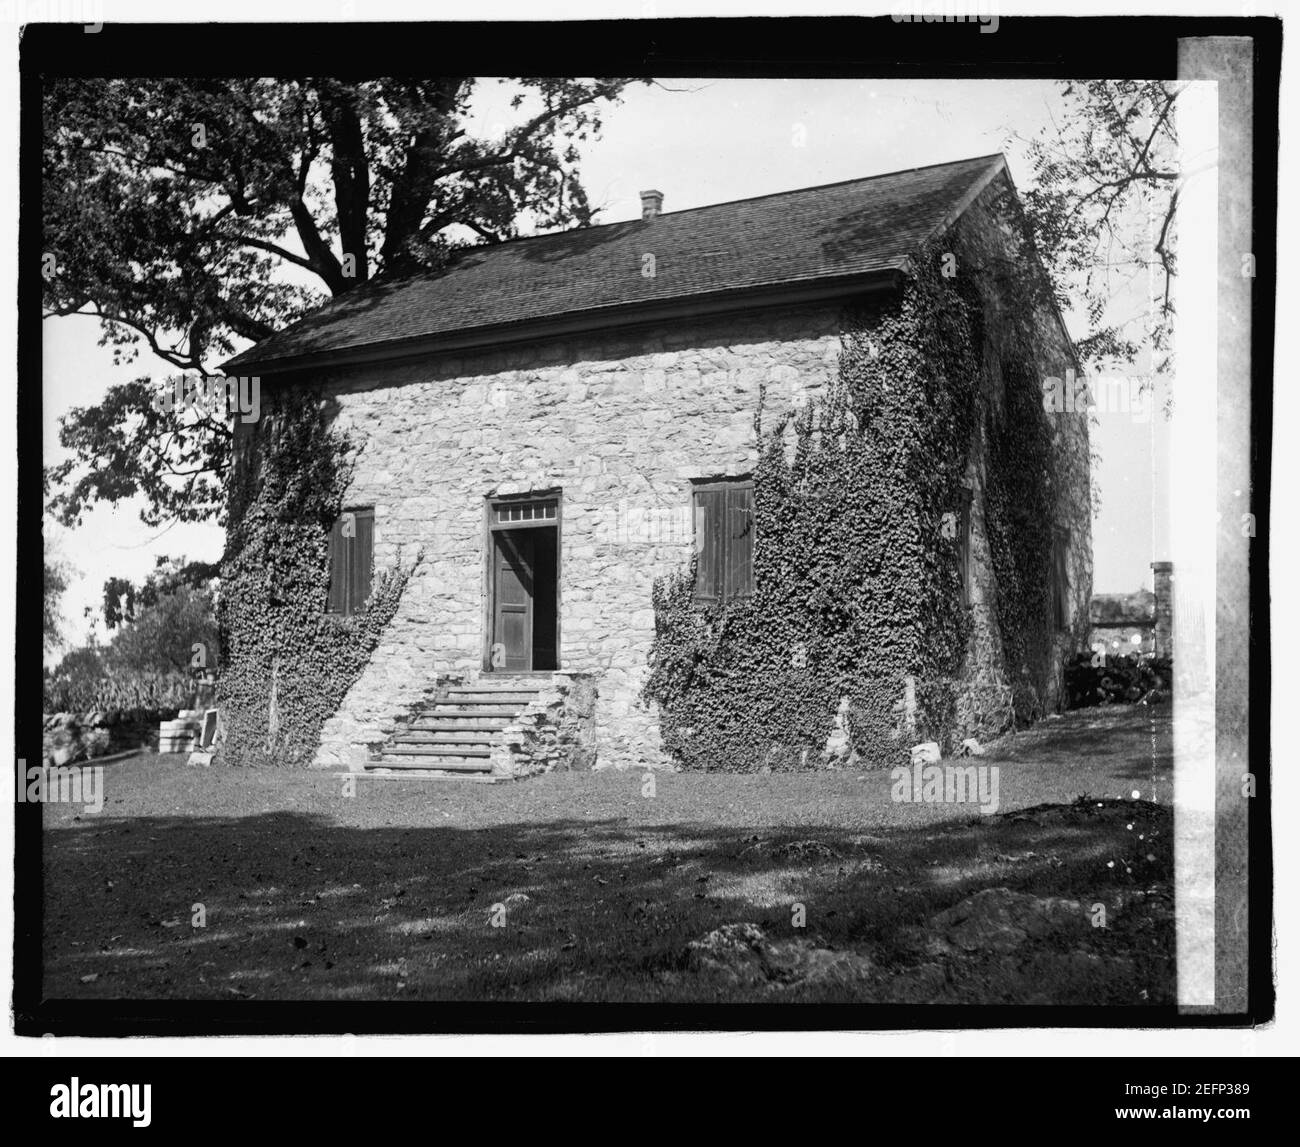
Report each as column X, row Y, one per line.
column 842, row 47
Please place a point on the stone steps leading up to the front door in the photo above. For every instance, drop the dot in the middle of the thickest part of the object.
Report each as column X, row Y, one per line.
column 454, row 735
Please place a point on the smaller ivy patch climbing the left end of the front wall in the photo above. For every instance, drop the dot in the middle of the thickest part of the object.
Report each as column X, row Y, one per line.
column 289, row 664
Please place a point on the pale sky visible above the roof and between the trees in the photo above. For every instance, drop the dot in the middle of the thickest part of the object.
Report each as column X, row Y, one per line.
column 699, row 142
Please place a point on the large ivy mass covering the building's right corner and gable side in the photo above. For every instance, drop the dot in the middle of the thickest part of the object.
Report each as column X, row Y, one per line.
column 857, row 579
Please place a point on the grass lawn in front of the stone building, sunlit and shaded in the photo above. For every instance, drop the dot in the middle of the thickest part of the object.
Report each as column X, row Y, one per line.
column 577, row 886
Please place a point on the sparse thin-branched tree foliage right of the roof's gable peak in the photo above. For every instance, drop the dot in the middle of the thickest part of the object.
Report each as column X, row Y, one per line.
column 1104, row 211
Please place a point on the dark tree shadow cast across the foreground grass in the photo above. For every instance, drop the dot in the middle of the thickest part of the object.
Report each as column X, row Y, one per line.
column 285, row 906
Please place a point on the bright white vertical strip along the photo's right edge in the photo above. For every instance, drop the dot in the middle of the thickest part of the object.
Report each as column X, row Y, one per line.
column 1193, row 534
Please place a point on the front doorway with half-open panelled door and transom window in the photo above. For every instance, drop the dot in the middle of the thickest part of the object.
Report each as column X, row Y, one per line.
column 523, row 622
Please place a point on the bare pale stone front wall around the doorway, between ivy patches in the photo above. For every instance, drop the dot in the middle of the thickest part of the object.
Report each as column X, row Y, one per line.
column 621, row 423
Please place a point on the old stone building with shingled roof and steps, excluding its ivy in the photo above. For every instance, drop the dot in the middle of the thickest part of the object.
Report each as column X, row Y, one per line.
column 558, row 422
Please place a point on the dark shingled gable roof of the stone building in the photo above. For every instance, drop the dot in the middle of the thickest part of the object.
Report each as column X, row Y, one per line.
column 826, row 239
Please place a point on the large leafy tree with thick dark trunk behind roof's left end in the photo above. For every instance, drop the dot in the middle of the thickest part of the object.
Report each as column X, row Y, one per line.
column 190, row 214
